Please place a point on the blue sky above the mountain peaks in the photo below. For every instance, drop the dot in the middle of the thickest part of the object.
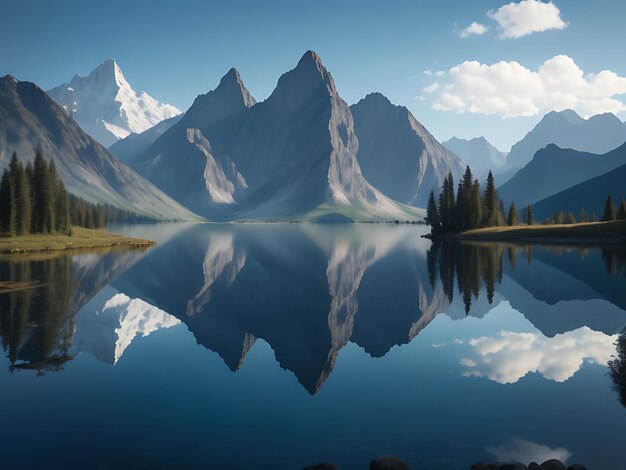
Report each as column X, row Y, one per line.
column 176, row 50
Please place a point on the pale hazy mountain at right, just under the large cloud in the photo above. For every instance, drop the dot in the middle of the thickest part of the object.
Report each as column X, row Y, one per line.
column 598, row 134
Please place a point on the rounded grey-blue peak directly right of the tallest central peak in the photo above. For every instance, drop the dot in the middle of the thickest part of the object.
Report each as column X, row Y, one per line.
column 397, row 154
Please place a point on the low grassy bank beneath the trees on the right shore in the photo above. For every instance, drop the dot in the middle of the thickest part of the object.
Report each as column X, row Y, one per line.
column 597, row 232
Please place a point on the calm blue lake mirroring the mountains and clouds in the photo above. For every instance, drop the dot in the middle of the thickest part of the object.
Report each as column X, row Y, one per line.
column 276, row 346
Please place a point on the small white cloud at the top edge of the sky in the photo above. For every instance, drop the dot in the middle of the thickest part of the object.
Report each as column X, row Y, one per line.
column 526, row 17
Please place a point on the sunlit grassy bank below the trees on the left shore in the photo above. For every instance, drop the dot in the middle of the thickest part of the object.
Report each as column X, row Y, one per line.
column 81, row 238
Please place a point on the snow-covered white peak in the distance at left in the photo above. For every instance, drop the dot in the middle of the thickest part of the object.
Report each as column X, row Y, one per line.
column 106, row 107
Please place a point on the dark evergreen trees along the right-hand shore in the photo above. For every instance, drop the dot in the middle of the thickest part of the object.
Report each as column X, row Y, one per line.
column 471, row 208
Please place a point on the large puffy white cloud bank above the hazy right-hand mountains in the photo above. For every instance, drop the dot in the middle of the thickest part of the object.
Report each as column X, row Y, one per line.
column 509, row 89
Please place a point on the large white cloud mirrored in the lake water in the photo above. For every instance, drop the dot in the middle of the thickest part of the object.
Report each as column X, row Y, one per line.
column 509, row 356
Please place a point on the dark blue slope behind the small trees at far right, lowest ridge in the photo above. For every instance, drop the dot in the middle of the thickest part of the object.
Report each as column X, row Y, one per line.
column 590, row 195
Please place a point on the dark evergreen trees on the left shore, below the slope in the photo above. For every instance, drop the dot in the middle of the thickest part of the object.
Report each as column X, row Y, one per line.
column 33, row 199
